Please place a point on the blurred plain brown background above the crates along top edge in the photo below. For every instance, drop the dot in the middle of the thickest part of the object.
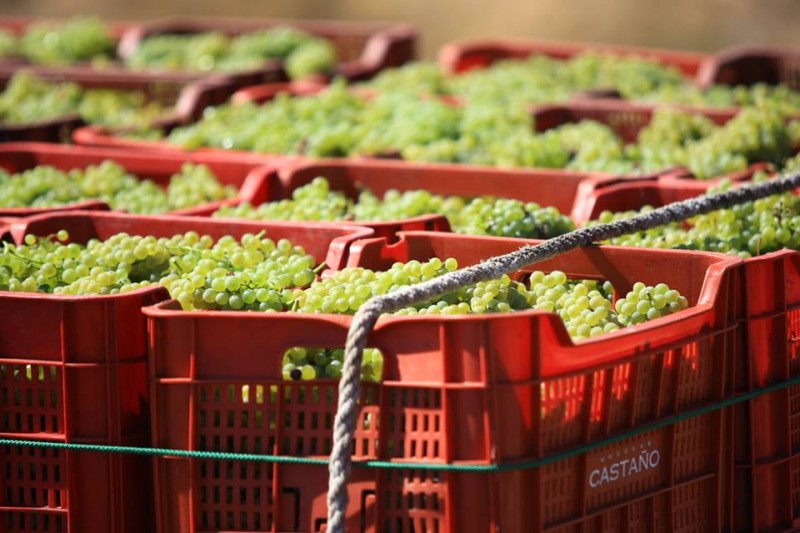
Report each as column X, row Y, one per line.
column 680, row 24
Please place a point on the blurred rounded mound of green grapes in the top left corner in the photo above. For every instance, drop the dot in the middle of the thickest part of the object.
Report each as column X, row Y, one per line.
column 62, row 43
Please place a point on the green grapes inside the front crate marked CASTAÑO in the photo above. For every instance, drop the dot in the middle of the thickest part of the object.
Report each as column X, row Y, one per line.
column 585, row 306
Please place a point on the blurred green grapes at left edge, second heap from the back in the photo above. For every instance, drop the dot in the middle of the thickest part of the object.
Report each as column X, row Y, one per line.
column 28, row 98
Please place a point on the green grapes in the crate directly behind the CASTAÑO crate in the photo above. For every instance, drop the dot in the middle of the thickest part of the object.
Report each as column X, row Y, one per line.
column 477, row 216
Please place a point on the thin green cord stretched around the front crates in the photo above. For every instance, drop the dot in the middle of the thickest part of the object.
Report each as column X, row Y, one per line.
column 504, row 467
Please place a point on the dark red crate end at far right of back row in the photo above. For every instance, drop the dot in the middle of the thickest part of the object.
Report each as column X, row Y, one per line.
column 747, row 65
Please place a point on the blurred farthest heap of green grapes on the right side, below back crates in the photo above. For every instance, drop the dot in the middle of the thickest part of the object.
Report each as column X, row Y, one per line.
column 541, row 79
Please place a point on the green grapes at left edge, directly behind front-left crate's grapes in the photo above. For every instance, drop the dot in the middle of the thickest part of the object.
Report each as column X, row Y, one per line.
column 46, row 186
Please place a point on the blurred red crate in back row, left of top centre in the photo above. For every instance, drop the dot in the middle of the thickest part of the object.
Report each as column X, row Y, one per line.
column 364, row 48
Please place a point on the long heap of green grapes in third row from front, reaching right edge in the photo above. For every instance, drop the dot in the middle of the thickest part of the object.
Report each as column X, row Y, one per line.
column 339, row 123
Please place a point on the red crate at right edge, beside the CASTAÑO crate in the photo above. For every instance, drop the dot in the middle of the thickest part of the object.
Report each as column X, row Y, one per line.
column 766, row 430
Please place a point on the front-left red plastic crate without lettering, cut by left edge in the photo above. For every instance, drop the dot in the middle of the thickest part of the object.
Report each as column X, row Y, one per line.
column 88, row 381
